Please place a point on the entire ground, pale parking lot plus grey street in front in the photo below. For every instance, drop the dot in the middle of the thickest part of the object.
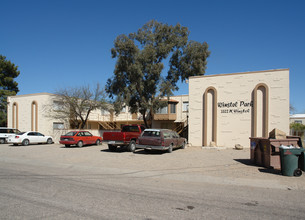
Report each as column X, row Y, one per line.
column 55, row 182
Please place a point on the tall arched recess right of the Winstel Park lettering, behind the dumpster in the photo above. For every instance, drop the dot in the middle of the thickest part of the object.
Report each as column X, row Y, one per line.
column 260, row 111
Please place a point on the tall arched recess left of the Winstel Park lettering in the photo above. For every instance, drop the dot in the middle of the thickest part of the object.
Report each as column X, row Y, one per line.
column 209, row 116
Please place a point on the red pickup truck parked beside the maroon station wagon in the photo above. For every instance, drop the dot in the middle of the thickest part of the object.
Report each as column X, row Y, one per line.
column 126, row 138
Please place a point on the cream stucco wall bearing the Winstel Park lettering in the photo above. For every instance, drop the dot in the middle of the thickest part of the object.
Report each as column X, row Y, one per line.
column 236, row 128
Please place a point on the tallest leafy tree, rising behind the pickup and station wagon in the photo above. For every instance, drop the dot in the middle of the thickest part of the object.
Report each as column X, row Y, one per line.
column 139, row 80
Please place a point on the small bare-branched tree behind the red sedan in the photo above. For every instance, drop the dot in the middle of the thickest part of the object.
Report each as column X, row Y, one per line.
column 76, row 104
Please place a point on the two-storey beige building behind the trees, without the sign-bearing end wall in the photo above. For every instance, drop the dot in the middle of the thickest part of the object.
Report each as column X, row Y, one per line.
column 34, row 112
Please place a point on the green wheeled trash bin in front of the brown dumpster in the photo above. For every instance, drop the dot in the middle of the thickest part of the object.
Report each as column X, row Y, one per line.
column 290, row 160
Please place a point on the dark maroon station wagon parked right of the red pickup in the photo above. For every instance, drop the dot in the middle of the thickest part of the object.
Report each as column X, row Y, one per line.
column 160, row 139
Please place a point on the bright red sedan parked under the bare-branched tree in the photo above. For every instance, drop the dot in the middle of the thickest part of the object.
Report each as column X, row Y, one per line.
column 79, row 138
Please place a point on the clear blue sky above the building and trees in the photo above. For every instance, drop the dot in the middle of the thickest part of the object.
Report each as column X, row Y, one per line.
column 59, row 43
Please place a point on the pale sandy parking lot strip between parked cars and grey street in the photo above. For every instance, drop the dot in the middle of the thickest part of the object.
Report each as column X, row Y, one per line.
column 193, row 164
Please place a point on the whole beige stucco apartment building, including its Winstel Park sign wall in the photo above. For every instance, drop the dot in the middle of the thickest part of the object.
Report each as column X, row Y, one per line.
column 221, row 110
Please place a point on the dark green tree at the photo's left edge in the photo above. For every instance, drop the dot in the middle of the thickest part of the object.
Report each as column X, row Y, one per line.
column 8, row 87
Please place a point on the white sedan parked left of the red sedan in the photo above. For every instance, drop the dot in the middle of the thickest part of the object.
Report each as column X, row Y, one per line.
column 30, row 137
